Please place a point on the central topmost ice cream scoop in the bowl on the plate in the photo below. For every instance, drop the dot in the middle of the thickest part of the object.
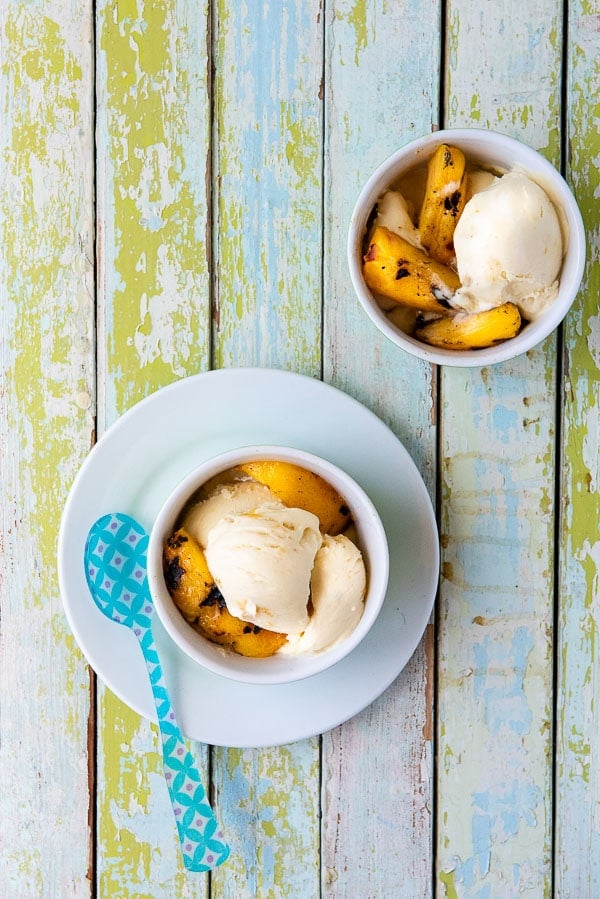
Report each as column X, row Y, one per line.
column 261, row 560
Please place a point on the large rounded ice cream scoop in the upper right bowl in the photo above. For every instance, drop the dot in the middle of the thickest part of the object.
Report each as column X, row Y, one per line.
column 508, row 246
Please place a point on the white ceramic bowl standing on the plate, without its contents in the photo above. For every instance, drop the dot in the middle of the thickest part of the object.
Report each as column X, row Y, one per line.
column 276, row 669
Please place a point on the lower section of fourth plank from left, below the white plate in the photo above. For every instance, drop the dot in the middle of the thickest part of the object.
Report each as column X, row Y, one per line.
column 378, row 791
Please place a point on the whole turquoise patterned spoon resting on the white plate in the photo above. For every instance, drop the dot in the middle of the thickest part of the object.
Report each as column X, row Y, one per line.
column 115, row 568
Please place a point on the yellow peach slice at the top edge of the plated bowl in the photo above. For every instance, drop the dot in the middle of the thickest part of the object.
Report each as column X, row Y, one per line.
column 302, row 489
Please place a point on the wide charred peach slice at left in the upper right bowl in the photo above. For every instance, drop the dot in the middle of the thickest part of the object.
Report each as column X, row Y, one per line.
column 404, row 273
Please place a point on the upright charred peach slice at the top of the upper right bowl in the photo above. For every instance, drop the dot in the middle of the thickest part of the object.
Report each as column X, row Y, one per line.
column 443, row 203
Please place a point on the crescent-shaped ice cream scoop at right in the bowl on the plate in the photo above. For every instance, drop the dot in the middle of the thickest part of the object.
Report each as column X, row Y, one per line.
column 338, row 588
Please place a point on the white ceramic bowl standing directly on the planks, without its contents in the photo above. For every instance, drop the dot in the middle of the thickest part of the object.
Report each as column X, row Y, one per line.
column 490, row 150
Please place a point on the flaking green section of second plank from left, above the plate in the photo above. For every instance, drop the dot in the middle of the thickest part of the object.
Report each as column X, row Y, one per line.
column 153, row 155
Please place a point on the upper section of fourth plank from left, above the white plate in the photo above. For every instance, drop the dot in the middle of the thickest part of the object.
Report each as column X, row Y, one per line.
column 381, row 91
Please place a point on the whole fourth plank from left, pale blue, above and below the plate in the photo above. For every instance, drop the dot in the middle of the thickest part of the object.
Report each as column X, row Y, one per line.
column 381, row 90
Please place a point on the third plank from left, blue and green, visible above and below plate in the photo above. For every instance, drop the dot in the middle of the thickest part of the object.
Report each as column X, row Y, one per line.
column 267, row 275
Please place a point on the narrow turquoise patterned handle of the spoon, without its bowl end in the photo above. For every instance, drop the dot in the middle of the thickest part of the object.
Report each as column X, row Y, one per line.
column 202, row 842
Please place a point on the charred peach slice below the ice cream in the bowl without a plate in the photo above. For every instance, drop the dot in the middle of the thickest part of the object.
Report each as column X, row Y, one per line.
column 472, row 331
